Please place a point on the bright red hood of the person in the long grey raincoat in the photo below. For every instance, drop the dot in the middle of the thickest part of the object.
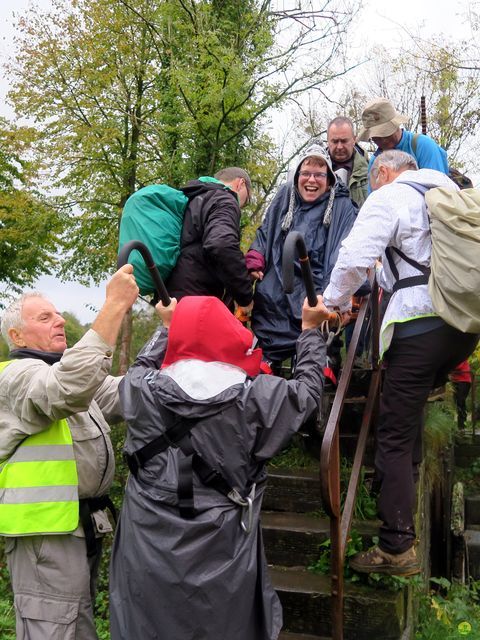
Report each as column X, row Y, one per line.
column 203, row 328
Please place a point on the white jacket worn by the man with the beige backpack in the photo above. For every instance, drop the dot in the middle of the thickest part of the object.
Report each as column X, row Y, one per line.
column 393, row 216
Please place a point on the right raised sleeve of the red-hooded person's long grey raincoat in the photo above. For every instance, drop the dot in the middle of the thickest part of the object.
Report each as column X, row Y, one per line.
column 280, row 407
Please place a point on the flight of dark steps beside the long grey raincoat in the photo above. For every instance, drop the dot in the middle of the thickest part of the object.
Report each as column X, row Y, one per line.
column 293, row 531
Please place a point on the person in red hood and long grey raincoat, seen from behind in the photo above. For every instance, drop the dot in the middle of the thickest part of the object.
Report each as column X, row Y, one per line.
column 188, row 559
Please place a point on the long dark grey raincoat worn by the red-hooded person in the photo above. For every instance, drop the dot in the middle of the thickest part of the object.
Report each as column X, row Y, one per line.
column 204, row 578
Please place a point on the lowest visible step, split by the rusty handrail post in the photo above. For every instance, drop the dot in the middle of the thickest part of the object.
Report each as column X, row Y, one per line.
column 368, row 613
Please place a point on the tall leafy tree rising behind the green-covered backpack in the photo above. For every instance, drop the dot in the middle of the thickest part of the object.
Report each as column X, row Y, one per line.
column 131, row 92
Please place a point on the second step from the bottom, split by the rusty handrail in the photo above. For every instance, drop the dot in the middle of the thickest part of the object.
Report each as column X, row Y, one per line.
column 295, row 538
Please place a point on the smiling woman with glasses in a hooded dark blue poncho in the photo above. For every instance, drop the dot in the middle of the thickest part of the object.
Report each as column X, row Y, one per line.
column 317, row 206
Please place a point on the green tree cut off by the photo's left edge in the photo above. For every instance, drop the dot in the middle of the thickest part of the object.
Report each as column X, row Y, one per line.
column 29, row 228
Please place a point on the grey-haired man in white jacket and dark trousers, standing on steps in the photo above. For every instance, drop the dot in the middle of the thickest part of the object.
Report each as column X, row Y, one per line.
column 418, row 346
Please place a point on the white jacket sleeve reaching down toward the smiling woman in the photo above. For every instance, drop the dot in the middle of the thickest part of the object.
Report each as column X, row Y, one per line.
column 372, row 232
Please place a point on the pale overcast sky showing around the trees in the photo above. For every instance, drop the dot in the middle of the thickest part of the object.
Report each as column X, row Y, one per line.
column 386, row 23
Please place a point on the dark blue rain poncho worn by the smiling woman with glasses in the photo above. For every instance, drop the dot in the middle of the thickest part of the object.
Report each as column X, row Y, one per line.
column 276, row 317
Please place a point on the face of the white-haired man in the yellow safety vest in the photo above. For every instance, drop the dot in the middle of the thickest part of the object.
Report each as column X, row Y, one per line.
column 43, row 327
